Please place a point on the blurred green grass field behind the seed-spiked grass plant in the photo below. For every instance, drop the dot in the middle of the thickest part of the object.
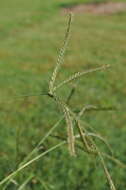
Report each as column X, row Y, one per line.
column 31, row 34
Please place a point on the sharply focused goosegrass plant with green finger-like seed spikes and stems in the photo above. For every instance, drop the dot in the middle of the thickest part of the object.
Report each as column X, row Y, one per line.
column 86, row 134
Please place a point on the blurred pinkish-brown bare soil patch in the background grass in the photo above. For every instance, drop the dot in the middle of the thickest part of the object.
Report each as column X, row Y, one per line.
column 99, row 8
